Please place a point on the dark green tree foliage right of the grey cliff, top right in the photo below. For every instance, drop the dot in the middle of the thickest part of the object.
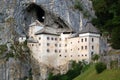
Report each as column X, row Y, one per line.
column 108, row 16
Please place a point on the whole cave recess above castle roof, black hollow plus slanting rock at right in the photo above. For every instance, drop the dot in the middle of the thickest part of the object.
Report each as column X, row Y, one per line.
column 50, row 19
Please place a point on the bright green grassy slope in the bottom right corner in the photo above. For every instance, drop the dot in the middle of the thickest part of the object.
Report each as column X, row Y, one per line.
column 90, row 74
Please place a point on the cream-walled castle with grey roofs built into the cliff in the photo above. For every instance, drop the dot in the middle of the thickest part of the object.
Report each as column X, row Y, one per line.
column 58, row 49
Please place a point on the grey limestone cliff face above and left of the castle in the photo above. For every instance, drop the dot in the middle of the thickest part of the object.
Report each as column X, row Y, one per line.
column 17, row 15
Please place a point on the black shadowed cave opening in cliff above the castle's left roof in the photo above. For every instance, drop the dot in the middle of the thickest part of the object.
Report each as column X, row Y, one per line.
column 40, row 13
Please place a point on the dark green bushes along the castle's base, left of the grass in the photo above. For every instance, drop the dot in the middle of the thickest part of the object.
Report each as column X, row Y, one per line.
column 76, row 69
